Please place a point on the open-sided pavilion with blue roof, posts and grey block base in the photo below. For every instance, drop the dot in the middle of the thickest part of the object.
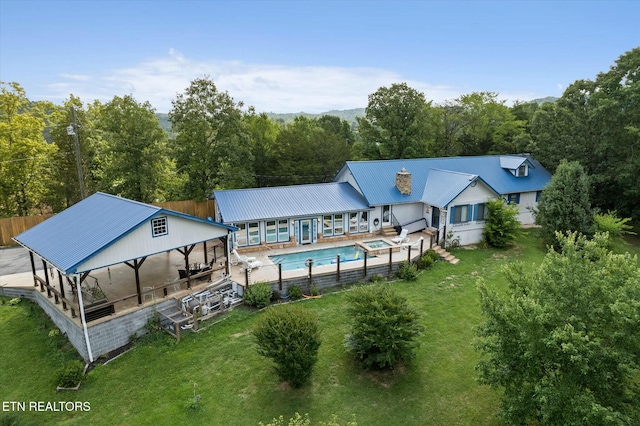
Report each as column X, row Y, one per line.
column 99, row 233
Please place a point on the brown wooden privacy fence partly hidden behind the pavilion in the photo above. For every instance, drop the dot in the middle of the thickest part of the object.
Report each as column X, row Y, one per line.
column 12, row 226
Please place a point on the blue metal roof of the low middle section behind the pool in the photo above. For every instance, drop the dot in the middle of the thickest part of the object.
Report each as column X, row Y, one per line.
column 242, row 205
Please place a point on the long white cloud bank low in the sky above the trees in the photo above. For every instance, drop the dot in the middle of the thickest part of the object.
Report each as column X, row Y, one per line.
column 269, row 88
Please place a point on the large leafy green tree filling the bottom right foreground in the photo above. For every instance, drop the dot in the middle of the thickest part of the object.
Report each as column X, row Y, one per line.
column 563, row 343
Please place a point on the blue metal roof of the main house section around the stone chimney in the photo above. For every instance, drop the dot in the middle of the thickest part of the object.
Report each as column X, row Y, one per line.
column 376, row 179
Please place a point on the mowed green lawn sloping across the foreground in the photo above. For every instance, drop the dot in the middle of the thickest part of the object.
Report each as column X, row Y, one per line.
column 154, row 383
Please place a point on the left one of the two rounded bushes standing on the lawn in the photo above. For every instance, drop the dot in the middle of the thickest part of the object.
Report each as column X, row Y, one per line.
column 290, row 336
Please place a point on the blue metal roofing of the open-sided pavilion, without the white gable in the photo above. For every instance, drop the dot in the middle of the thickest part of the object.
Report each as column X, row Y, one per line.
column 84, row 229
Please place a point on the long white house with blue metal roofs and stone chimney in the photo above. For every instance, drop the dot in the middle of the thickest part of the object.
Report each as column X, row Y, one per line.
column 442, row 194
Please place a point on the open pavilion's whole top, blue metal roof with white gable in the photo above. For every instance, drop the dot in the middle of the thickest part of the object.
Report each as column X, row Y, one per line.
column 75, row 236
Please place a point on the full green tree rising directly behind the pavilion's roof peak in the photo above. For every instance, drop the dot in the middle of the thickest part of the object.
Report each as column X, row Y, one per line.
column 134, row 161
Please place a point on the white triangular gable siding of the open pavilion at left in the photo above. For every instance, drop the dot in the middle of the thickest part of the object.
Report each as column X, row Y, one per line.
column 140, row 242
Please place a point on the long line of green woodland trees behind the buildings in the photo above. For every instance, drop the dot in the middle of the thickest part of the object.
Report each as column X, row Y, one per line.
column 217, row 143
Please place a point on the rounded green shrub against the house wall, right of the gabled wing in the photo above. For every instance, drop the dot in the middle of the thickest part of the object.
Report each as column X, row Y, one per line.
column 501, row 226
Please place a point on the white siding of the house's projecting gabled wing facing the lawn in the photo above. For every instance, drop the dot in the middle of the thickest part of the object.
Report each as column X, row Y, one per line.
column 469, row 232
